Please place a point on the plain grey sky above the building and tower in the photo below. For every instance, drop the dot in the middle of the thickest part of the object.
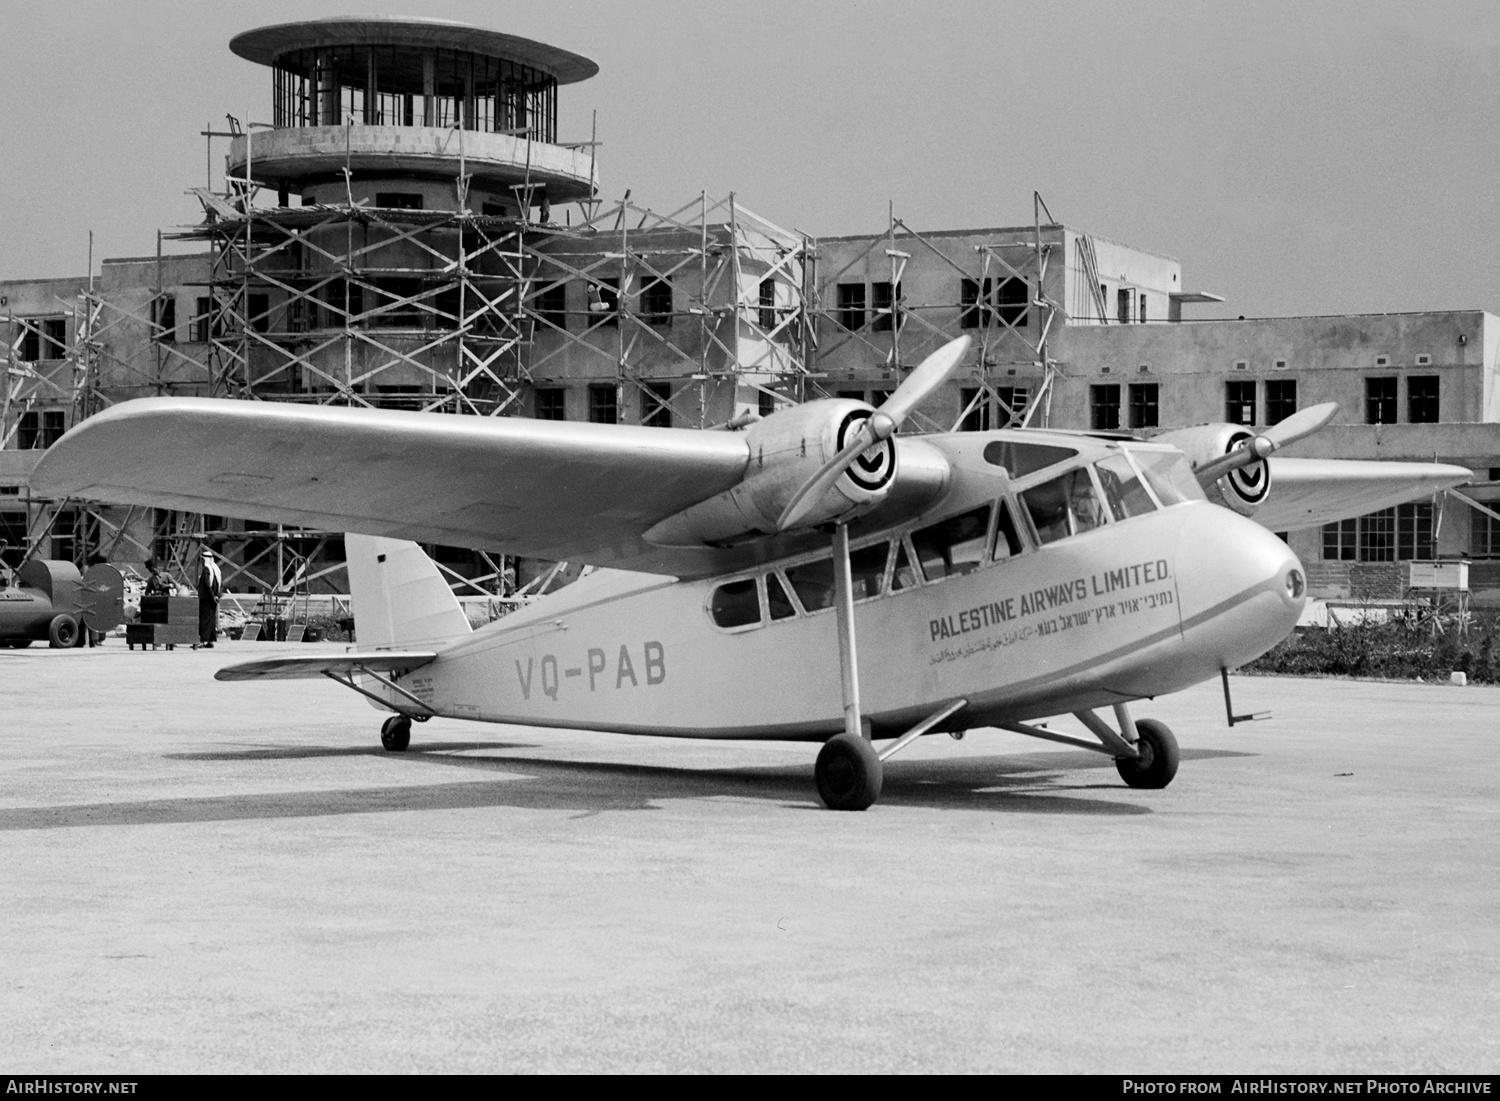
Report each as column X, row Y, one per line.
column 1298, row 158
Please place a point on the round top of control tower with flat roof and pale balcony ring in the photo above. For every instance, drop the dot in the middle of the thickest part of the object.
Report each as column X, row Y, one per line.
column 370, row 107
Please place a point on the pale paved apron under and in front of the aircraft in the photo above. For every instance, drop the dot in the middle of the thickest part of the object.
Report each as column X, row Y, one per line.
column 205, row 877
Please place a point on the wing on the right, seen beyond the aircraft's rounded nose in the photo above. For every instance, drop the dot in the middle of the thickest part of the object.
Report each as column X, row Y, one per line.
column 1310, row 493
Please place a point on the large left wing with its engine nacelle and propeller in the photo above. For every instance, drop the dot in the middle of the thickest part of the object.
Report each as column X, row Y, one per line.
column 644, row 499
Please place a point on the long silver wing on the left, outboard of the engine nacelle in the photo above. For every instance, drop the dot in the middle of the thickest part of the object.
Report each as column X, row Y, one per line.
column 547, row 490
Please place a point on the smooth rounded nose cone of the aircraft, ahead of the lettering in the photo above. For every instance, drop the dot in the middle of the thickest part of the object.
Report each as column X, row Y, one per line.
column 1241, row 589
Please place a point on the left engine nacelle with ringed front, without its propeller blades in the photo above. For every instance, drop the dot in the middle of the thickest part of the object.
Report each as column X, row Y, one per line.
column 785, row 451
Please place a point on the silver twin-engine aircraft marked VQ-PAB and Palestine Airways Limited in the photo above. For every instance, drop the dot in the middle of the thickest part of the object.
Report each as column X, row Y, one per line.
column 991, row 578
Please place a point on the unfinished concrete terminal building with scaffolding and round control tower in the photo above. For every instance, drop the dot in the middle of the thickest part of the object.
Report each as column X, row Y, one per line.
column 410, row 233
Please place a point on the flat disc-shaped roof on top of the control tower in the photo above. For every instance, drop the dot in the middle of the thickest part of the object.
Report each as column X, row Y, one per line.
column 265, row 44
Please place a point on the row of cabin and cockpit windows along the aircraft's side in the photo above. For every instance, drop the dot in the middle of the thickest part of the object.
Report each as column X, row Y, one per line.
column 1115, row 488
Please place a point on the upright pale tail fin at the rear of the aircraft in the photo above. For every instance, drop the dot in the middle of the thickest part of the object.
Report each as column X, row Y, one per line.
column 400, row 596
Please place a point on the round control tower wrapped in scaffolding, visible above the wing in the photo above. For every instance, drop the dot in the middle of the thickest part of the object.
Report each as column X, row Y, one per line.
column 371, row 245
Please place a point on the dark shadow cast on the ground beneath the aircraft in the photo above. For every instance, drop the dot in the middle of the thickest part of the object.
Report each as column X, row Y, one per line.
column 1010, row 785
